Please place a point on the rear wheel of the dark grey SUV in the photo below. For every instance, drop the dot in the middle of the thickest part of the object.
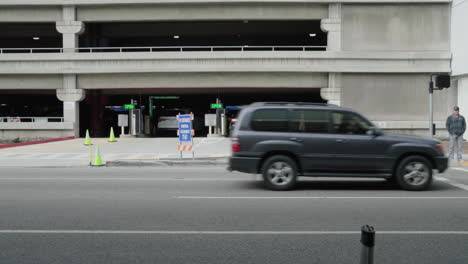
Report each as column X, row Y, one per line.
column 279, row 173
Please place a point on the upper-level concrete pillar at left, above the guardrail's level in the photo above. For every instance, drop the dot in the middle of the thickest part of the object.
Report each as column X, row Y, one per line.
column 69, row 28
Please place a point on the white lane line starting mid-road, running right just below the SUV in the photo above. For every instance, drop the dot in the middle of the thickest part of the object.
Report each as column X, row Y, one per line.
column 323, row 197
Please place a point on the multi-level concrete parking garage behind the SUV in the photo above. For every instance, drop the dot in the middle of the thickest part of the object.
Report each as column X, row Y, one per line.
column 75, row 60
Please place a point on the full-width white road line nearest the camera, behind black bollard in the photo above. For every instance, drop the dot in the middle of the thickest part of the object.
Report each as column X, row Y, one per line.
column 209, row 232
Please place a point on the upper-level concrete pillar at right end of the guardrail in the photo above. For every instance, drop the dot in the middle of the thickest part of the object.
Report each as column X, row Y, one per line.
column 332, row 25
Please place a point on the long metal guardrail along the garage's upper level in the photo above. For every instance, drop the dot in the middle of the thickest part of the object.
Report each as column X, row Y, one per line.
column 162, row 49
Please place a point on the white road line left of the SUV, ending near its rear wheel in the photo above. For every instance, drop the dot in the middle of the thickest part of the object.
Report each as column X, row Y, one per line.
column 116, row 179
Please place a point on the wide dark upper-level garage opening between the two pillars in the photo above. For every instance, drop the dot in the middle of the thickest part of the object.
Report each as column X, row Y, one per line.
column 203, row 33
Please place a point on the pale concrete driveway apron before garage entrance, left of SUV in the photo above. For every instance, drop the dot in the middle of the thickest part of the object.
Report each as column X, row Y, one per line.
column 72, row 153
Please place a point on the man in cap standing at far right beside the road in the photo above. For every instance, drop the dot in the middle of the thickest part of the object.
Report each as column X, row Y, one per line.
column 456, row 127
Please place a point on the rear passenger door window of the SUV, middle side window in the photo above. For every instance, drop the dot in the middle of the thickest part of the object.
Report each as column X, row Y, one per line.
column 309, row 121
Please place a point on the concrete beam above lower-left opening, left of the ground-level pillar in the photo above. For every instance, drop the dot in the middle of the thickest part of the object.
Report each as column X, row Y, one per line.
column 9, row 81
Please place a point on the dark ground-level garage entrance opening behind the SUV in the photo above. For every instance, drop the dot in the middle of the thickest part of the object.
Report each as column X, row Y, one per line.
column 159, row 107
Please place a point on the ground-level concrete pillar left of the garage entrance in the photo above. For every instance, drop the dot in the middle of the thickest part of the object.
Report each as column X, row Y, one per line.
column 71, row 98
